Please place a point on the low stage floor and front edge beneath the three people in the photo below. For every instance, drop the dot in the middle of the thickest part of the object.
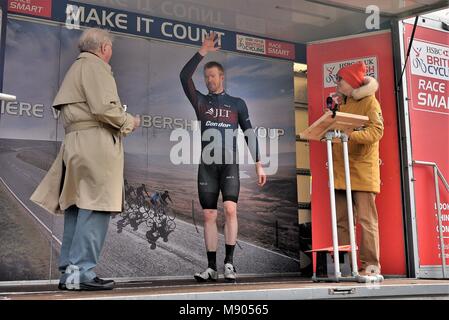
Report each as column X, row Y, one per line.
column 247, row 288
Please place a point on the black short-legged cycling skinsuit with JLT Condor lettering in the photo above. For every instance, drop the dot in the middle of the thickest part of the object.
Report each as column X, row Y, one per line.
column 221, row 112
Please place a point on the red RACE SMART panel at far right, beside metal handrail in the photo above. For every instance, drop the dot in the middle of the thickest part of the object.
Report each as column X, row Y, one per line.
column 428, row 83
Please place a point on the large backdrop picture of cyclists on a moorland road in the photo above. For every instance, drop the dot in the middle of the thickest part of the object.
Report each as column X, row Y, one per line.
column 142, row 241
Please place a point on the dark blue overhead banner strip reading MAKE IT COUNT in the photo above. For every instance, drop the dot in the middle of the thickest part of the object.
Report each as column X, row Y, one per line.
column 87, row 13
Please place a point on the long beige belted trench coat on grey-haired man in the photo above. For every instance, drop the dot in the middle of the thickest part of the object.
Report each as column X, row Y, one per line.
column 88, row 171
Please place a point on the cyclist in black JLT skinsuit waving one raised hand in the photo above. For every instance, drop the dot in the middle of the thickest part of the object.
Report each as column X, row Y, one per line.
column 218, row 113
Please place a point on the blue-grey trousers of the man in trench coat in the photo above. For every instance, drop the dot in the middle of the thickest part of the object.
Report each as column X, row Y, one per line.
column 82, row 242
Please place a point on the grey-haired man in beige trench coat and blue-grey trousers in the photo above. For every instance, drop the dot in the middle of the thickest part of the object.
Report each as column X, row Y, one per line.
column 86, row 179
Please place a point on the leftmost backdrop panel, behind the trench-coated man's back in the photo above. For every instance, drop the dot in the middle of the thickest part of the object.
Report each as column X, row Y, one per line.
column 28, row 146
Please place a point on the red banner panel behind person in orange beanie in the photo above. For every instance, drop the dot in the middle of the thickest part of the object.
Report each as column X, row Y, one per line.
column 324, row 61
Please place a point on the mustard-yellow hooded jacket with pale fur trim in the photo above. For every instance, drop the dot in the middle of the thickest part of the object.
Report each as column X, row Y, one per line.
column 363, row 145
